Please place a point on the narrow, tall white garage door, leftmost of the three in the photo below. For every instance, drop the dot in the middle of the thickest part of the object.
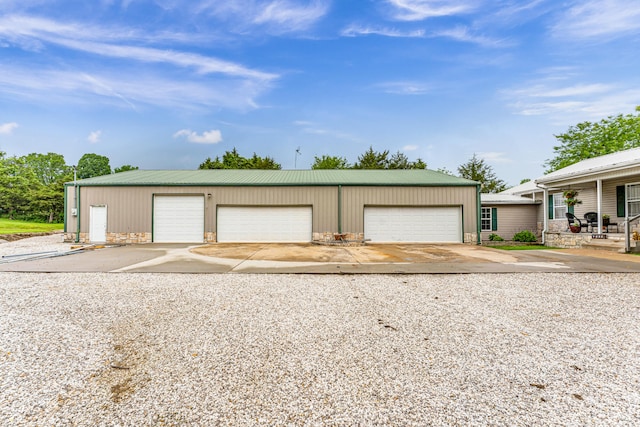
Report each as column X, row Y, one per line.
column 178, row 219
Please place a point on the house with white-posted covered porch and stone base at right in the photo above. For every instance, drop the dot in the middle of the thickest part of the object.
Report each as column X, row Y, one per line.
column 608, row 186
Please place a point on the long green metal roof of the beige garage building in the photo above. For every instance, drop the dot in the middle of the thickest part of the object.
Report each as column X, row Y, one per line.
column 244, row 177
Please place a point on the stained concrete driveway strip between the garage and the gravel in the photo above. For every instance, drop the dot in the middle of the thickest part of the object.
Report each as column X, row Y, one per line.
column 308, row 258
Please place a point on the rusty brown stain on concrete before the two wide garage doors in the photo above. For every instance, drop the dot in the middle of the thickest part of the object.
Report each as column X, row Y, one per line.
column 302, row 252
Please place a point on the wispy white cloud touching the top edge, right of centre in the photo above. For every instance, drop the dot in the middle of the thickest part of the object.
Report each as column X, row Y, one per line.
column 418, row 10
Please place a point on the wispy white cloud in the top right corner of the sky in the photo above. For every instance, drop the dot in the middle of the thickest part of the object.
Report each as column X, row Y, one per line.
column 602, row 19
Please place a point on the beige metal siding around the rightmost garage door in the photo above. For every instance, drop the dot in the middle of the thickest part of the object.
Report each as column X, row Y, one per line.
column 355, row 198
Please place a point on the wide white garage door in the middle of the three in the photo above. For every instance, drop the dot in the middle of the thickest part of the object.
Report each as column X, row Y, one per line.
column 264, row 224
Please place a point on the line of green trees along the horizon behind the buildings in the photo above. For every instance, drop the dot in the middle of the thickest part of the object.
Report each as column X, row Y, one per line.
column 32, row 186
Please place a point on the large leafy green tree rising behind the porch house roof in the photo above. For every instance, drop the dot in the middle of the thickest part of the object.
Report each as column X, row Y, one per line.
column 586, row 140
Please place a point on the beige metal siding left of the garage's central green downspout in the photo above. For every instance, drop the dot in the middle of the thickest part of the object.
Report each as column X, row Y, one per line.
column 130, row 208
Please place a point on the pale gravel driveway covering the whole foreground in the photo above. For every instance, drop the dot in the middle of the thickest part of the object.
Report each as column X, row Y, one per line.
column 176, row 349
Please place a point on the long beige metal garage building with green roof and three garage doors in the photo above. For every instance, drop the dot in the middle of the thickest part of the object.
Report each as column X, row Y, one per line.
column 272, row 206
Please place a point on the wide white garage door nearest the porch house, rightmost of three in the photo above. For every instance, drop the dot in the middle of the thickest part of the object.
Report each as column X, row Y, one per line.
column 413, row 224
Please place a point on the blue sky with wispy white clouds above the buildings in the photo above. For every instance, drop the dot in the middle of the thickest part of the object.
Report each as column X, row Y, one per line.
column 165, row 84
